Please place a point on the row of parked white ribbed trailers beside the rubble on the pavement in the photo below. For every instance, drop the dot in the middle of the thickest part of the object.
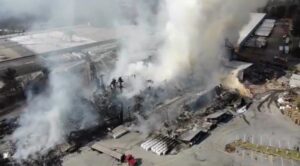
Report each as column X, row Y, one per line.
column 160, row 145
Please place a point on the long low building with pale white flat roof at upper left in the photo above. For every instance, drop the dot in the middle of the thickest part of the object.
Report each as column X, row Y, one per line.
column 24, row 52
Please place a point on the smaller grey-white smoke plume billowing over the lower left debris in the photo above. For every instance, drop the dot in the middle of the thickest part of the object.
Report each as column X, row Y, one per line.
column 52, row 115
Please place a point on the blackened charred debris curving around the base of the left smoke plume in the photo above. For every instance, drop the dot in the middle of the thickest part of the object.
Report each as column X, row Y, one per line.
column 111, row 116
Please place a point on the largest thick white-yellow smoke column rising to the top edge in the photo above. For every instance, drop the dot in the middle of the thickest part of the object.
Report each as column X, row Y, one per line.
column 189, row 41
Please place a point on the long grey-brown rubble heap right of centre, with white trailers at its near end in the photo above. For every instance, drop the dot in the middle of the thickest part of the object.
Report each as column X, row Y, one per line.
column 196, row 118
